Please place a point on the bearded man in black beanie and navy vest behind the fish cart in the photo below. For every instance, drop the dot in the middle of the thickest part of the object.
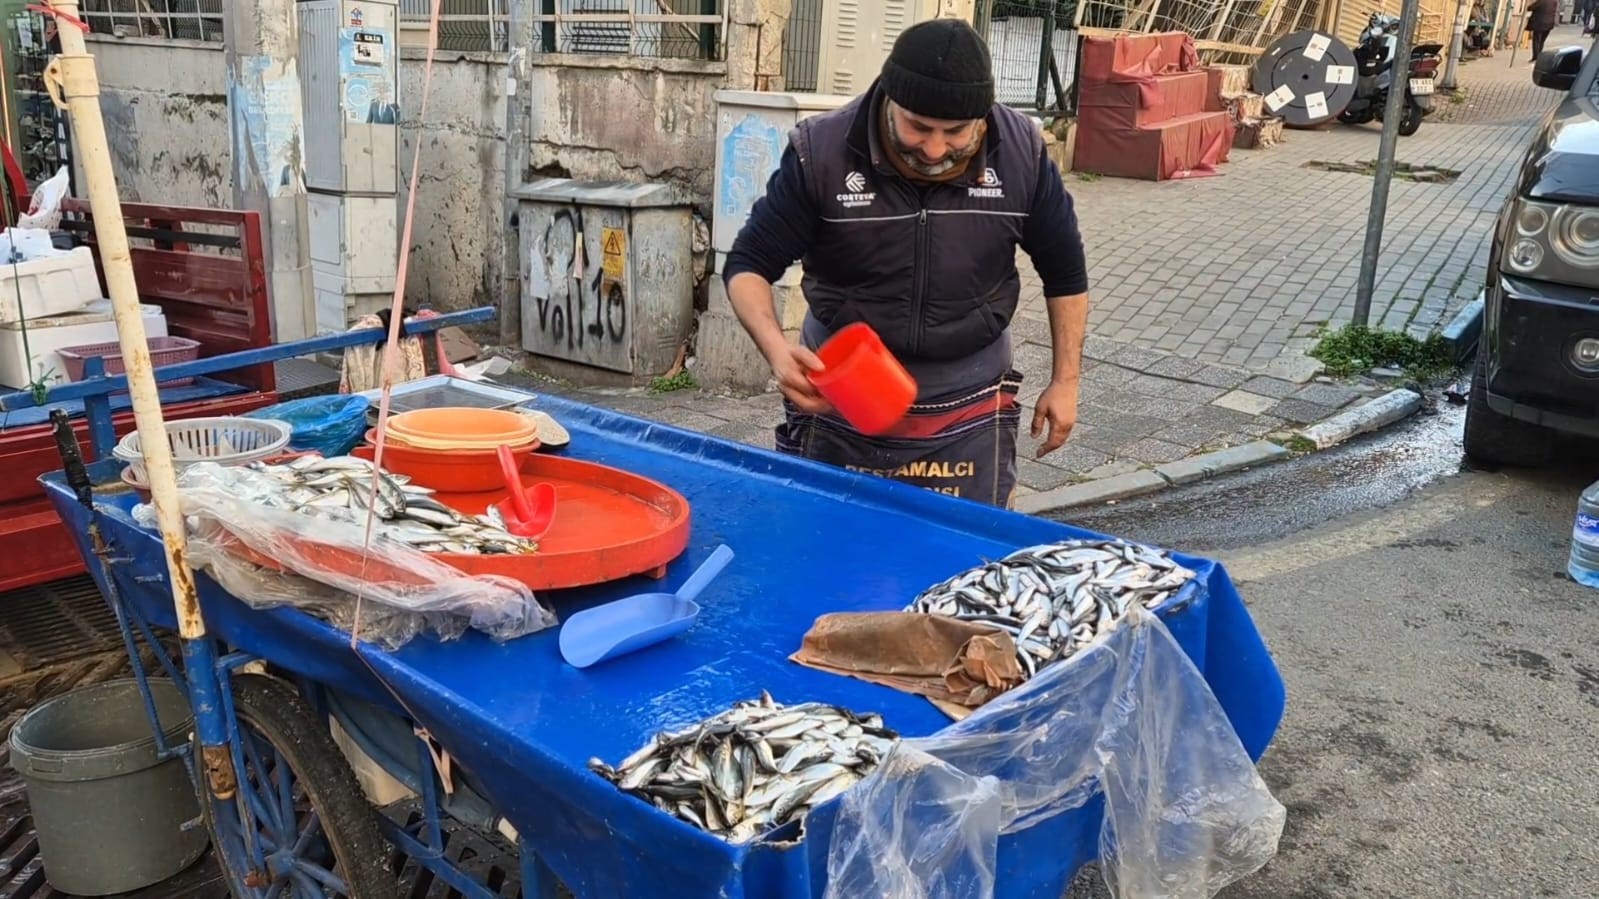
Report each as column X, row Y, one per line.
column 907, row 207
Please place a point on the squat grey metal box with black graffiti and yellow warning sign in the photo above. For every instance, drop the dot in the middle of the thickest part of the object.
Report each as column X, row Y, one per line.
column 607, row 273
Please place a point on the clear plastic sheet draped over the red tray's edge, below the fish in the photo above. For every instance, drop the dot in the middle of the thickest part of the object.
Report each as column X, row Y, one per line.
column 274, row 557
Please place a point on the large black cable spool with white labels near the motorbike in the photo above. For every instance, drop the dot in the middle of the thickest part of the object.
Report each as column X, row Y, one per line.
column 1306, row 78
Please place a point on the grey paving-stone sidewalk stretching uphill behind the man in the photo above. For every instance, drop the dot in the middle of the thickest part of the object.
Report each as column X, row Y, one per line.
column 1208, row 294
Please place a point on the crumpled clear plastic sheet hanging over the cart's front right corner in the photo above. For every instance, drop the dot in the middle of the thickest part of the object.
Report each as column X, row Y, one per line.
column 1186, row 810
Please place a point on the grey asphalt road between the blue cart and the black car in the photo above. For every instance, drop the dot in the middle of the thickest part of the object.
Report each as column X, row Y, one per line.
column 1443, row 725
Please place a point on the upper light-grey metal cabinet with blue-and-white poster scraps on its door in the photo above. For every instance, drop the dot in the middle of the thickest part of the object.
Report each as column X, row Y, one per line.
column 351, row 70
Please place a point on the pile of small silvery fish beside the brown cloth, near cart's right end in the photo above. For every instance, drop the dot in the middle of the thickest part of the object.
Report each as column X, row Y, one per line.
column 1056, row 599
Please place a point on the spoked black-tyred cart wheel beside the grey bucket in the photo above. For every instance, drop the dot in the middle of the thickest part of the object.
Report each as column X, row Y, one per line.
column 300, row 825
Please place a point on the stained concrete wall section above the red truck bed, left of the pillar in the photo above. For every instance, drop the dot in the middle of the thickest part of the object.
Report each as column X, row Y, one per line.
column 165, row 106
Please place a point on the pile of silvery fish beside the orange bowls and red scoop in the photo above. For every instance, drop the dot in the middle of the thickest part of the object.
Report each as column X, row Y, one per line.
column 341, row 489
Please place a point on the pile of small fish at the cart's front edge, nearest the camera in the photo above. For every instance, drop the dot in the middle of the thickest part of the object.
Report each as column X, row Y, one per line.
column 754, row 767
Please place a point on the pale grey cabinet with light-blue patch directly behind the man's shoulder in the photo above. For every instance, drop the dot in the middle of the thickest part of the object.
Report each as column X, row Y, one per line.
column 752, row 134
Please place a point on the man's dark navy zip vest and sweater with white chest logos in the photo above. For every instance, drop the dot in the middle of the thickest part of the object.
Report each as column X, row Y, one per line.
column 930, row 266
